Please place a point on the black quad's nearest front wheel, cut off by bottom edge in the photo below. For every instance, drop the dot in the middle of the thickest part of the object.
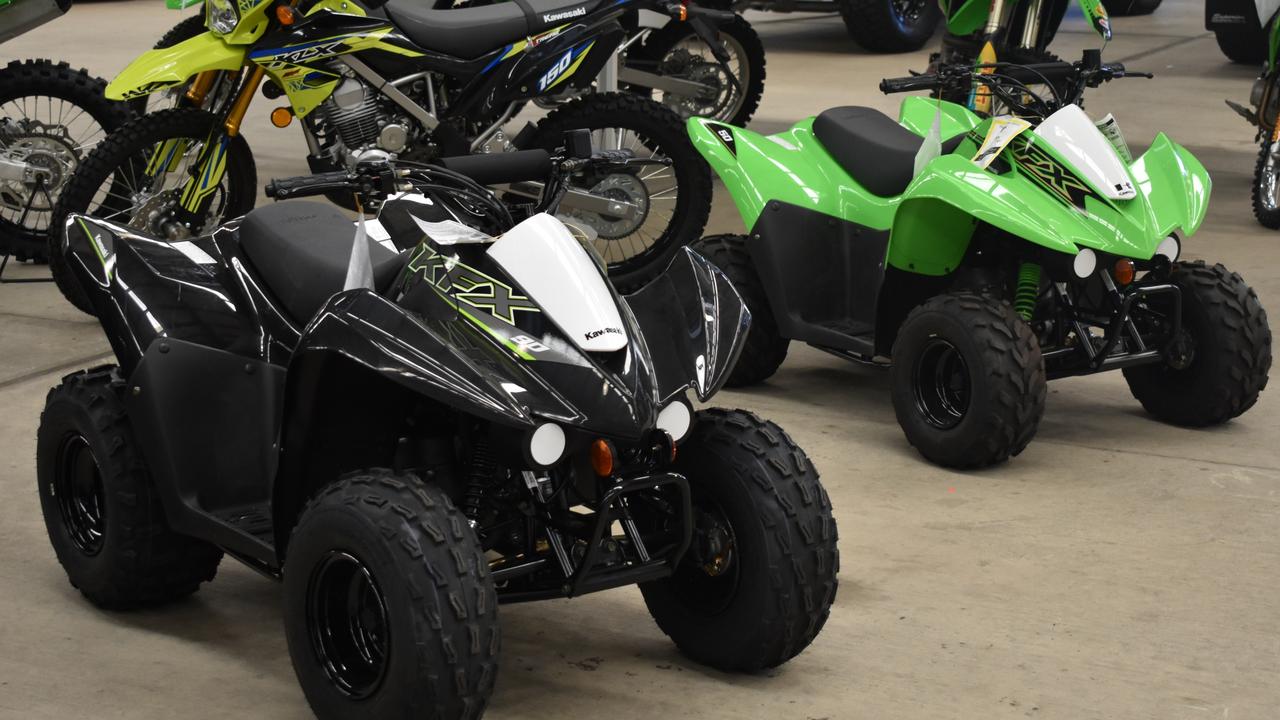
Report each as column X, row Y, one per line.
column 390, row 609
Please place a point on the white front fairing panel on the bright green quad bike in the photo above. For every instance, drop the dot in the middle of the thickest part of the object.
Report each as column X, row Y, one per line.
column 1082, row 144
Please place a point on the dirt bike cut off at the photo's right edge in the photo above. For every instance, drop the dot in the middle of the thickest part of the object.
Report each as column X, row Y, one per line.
column 1263, row 113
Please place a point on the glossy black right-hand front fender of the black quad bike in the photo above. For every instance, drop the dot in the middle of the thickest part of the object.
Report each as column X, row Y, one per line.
column 694, row 323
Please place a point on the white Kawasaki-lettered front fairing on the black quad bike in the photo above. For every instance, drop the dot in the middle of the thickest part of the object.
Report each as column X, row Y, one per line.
column 552, row 268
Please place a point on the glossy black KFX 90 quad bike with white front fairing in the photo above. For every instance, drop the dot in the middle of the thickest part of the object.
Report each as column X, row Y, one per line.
column 463, row 427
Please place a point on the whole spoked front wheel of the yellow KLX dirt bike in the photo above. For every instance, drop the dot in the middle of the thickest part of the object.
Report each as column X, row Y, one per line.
column 138, row 179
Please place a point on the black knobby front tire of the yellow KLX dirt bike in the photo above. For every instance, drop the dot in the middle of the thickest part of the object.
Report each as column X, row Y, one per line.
column 118, row 162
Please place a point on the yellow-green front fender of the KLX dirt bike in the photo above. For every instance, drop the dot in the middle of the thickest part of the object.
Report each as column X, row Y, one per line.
column 170, row 67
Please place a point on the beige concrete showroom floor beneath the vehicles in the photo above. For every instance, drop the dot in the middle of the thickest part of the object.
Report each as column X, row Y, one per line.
column 1118, row 568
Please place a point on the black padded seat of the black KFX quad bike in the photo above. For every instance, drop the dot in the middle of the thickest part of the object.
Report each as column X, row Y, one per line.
column 301, row 250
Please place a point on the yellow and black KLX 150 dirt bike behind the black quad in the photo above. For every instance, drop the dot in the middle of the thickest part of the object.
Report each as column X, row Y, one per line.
column 399, row 81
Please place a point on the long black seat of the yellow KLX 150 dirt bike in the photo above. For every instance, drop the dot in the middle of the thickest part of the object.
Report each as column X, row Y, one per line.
column 472, row 33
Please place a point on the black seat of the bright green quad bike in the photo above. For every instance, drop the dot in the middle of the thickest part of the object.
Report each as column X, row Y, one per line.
column 872, row 148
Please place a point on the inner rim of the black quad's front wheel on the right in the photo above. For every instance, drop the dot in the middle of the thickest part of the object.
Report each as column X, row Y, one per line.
column 708, row 577
